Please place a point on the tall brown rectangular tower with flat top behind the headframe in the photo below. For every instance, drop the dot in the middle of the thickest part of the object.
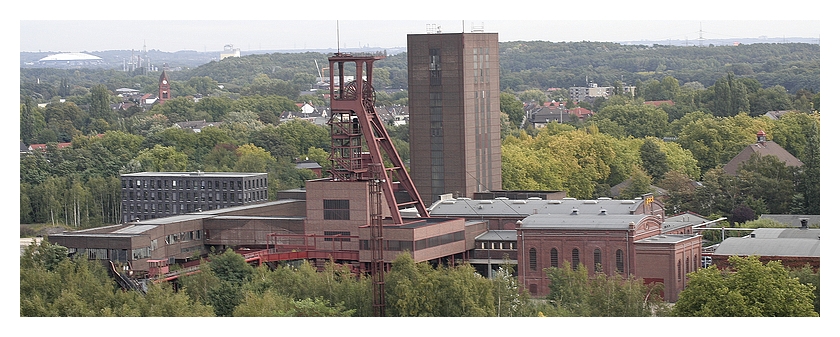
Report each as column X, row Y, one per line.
column 453, row 82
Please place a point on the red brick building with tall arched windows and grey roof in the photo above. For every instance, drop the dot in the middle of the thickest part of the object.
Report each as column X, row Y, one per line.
column 625, row 244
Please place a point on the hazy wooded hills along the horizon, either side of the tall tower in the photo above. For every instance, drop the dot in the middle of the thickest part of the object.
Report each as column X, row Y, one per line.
column 524, row 65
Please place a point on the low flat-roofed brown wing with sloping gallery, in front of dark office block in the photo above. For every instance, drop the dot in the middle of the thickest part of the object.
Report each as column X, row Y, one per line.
column 183, row 237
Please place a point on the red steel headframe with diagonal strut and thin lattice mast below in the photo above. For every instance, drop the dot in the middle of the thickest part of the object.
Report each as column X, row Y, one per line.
column 363, row 151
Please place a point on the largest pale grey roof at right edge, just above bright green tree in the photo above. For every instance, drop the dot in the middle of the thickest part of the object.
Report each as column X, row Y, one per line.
column 769, row 247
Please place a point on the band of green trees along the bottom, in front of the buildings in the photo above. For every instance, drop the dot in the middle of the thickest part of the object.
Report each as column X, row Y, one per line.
column 51, row 284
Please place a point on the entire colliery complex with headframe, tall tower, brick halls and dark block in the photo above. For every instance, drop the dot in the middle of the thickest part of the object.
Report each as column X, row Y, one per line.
column 450, row 210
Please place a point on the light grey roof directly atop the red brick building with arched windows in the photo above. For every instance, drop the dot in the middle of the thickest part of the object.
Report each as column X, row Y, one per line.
column 594, row 222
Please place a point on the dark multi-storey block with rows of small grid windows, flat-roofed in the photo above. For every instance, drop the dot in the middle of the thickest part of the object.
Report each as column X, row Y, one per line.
column 149, row 195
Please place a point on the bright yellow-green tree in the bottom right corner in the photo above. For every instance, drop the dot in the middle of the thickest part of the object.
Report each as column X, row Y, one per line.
column 749, row 289
